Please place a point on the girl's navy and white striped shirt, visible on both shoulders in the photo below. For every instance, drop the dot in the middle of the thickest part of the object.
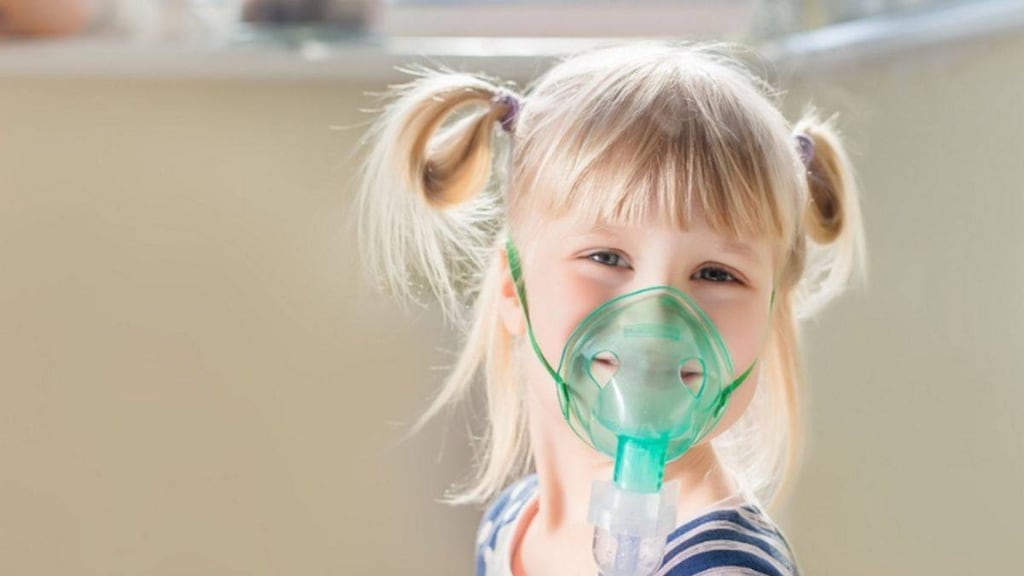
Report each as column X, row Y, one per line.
column 736, row 538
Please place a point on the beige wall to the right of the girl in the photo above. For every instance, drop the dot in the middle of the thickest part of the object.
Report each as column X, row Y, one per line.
column 917, row 460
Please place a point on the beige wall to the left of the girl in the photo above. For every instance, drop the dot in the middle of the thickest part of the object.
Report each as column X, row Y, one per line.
column 193, row 381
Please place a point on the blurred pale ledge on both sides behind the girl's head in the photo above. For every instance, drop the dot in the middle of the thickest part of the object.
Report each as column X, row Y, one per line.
column 373, row 59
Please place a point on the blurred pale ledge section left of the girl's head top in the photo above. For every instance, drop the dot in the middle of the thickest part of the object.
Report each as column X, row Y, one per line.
column 368, row 60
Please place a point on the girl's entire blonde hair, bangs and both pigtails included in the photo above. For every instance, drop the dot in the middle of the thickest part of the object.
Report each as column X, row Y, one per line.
column 619, row 134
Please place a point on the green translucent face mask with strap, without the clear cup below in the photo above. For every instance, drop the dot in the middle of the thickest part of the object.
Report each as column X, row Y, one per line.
column 643, row 379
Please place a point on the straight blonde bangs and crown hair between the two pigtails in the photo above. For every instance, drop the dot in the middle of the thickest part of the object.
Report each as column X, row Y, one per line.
column 656, row 150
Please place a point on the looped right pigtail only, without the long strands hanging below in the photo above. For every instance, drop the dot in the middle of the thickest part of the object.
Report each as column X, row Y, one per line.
column 835, row 252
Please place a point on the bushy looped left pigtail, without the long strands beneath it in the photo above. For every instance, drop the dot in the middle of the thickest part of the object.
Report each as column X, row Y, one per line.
column 426, row 216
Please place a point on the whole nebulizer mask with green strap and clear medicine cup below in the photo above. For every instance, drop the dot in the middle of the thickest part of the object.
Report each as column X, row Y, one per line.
column 643, row 379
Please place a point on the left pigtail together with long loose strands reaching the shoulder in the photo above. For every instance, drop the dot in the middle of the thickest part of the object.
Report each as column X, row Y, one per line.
column 430, row 221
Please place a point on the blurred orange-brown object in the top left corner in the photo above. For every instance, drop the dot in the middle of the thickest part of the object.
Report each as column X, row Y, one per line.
column 46, row 18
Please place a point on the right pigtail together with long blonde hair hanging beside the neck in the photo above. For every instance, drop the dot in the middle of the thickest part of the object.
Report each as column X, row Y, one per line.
column 767, row 444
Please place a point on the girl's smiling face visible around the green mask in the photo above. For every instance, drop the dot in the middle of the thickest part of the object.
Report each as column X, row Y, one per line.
column 571, row 268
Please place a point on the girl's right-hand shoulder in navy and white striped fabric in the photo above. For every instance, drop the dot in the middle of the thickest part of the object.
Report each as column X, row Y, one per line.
column 735, row 541
